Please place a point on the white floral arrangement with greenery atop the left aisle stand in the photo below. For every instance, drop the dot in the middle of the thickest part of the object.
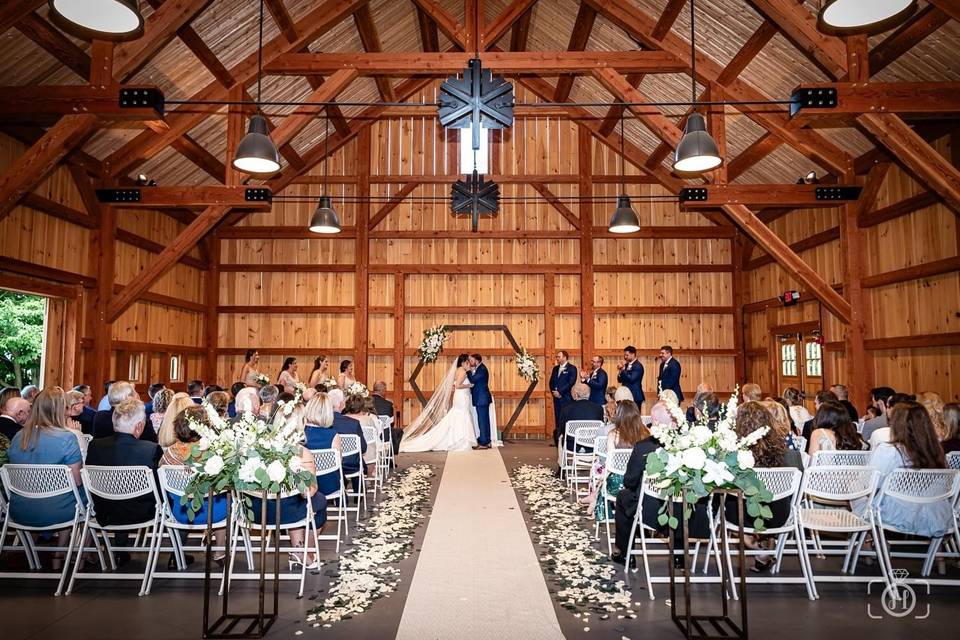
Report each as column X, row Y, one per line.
column 248, row 454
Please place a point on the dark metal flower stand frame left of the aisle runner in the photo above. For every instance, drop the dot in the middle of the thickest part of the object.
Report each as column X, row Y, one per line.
column 237, row 626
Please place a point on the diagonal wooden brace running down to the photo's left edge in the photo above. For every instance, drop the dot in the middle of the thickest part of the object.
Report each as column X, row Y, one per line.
column 31, row 168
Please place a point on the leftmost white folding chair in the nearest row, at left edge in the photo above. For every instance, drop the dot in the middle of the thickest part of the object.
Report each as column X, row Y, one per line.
column 37, row 482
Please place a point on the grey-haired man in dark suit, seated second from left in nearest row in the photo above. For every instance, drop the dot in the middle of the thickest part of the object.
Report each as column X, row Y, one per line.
column 125, row 449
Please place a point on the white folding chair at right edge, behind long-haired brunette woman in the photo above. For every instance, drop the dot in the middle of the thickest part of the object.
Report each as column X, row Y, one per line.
column 923, row 488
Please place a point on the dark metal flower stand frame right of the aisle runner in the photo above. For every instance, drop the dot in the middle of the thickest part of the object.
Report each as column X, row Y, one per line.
column 699, row 626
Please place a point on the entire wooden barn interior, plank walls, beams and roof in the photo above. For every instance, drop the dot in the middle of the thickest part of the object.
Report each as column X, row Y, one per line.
column 178, row 285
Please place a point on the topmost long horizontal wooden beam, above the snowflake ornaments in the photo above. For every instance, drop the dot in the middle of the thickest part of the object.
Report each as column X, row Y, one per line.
column 504, row 62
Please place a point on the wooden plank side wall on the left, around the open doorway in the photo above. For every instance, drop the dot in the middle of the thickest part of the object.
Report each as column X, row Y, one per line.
column 48, row 249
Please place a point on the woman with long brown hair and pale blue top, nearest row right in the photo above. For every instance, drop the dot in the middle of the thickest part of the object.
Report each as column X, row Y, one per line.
column 913, row 445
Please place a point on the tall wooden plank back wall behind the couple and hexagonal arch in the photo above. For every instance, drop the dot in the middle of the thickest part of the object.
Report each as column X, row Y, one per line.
column 524, row 270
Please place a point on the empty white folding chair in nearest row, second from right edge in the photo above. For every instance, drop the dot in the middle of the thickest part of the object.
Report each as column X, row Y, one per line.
column 834, row 487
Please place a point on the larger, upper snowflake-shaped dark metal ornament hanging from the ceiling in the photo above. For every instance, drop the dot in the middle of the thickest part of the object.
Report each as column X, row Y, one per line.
column 478, row 99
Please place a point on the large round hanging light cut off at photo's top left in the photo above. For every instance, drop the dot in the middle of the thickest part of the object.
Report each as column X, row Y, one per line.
column 98, row 19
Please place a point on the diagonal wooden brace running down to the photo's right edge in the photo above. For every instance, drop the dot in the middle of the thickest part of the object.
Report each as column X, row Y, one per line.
column 916, row 154
